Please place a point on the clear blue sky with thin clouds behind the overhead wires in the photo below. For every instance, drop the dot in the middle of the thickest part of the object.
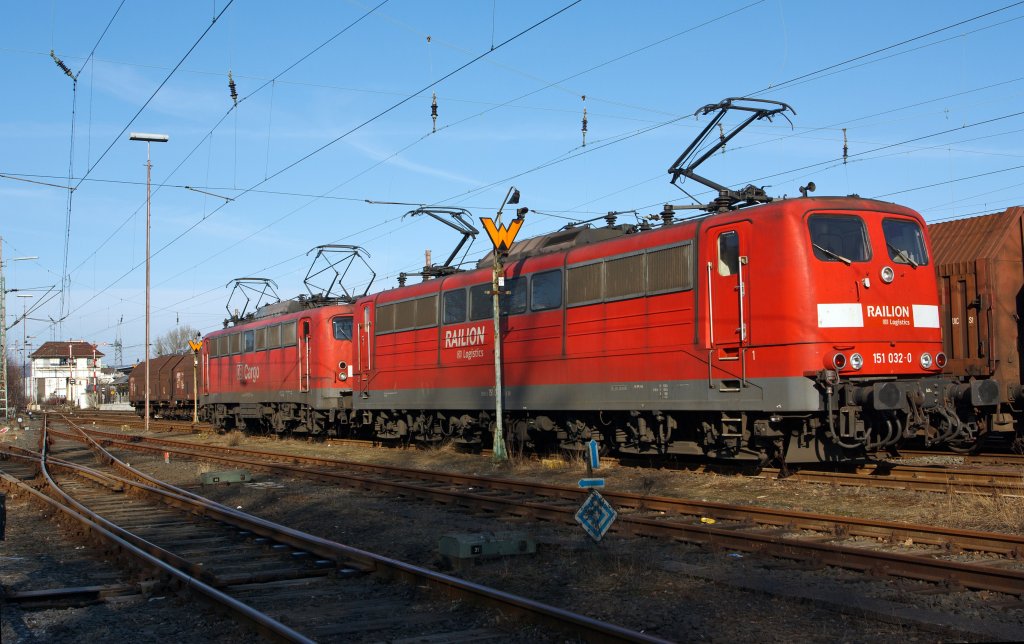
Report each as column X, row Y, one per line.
column 930, row 95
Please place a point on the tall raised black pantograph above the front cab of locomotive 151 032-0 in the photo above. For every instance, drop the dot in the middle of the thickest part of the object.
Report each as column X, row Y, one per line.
column 685, row 166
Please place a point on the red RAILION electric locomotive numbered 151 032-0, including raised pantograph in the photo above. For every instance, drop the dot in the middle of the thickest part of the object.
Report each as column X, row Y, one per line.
column 805, row 330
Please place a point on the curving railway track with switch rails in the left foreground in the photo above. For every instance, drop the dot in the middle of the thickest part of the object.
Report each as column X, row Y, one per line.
column 272, row 577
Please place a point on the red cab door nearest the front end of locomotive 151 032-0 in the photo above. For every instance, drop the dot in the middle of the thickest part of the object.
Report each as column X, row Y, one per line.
column 728, row 321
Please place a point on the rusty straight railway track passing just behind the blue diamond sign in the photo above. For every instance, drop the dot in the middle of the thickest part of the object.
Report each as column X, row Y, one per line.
column 963, row 559
